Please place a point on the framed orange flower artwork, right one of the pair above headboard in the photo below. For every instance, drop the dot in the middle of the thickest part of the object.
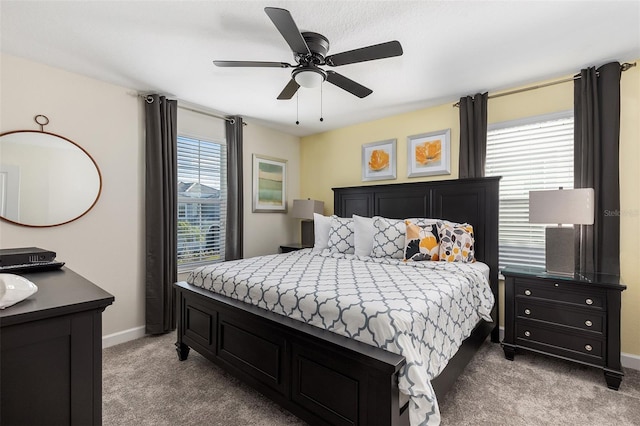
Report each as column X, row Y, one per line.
column 429, row 154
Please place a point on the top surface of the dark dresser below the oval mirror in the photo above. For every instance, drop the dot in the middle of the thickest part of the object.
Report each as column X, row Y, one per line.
column 59, row 292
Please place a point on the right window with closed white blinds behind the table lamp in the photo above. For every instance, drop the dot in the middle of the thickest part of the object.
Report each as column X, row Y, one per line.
column 532, row 154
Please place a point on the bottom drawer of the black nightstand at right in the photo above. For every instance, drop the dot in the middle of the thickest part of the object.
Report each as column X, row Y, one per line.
column 575, row 346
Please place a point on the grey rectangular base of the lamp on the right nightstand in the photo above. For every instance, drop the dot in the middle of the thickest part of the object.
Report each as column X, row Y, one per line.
column 560, row 255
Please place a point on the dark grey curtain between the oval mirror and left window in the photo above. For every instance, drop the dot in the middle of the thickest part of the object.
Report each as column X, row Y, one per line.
column 160, row 213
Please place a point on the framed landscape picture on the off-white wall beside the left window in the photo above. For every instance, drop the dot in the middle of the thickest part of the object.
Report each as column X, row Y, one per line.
column 269, row 185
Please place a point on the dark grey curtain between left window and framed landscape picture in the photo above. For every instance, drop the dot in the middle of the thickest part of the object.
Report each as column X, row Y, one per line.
column 233, row 236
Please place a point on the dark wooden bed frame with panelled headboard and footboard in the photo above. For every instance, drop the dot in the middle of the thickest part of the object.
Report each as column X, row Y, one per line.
column 321, row 376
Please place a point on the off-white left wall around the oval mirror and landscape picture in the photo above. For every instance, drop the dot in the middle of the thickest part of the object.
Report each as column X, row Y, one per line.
column 107, row 244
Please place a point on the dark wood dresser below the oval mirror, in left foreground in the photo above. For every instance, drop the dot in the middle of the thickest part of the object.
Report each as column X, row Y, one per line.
column 51, row 352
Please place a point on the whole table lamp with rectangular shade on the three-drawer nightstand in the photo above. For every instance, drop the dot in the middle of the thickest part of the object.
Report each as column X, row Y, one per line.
column 561, row 206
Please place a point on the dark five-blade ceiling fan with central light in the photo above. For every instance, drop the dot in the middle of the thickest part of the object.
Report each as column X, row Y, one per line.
column 309, row 51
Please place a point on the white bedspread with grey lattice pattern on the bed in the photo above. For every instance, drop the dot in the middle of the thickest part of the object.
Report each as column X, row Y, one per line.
column 421, row 310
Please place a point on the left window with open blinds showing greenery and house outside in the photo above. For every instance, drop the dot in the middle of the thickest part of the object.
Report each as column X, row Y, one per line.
column 202, row 204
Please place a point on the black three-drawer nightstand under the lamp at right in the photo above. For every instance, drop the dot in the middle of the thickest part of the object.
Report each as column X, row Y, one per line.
column 576, row 318
